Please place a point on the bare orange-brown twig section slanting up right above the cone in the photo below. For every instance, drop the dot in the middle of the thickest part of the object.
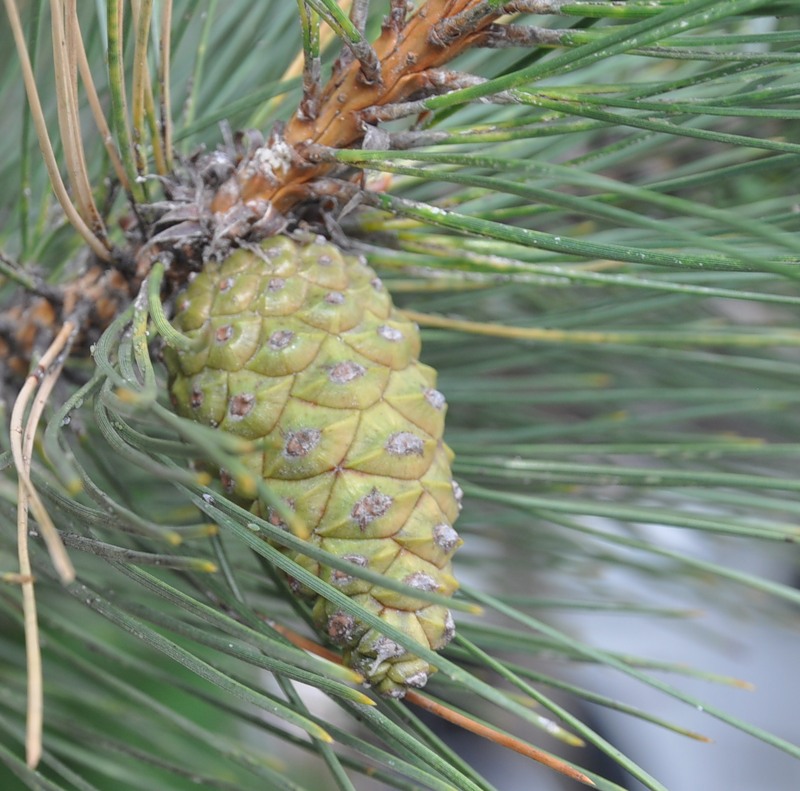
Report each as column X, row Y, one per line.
column 410, row 57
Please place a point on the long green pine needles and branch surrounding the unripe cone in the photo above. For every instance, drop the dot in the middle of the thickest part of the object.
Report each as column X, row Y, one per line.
column 590, row 210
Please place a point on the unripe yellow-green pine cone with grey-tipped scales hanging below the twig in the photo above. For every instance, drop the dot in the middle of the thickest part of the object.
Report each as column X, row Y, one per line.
column 306, row 353
